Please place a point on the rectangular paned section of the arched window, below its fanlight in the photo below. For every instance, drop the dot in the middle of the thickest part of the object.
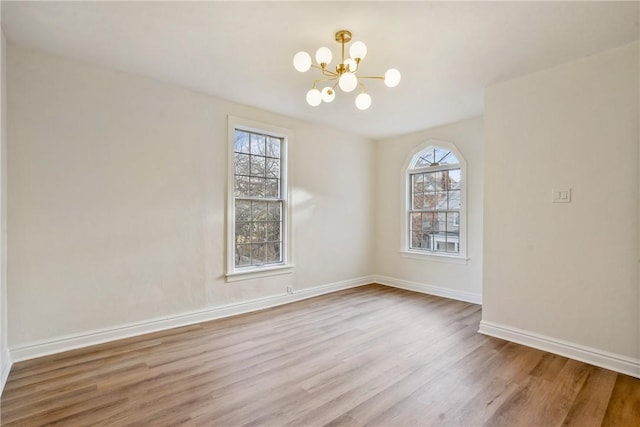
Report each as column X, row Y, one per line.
column 434, row 216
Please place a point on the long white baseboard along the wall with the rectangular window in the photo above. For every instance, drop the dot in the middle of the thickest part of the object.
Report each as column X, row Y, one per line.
column 99, row 336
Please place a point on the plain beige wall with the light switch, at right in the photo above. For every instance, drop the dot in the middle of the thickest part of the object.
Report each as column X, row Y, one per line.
column 567, row 271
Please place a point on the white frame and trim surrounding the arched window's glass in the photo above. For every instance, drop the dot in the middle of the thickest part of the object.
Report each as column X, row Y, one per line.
column 407, row 169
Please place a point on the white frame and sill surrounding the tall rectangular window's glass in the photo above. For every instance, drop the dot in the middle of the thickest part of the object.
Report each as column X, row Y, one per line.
column 286, row 266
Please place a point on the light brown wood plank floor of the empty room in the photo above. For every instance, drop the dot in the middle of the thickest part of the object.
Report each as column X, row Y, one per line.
column 367, row 356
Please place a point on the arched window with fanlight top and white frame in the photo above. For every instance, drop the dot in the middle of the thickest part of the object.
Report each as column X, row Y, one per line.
column 435, row 214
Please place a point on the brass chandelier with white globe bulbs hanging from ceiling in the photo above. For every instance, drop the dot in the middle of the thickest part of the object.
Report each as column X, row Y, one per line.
column 345, row 75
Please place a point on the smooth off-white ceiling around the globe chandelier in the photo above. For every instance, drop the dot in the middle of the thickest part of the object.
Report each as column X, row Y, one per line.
column 448, row 52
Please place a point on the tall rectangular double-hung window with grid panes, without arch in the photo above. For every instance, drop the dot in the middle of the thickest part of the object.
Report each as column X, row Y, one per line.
column 258, row 204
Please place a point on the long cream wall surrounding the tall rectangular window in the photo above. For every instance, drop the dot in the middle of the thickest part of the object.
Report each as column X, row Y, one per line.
column 117, row 200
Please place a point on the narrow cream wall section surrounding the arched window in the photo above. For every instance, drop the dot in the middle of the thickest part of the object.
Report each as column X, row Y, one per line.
column 391, row 155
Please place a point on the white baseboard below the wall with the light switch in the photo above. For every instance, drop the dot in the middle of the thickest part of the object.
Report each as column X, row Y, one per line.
column 593, row 356
